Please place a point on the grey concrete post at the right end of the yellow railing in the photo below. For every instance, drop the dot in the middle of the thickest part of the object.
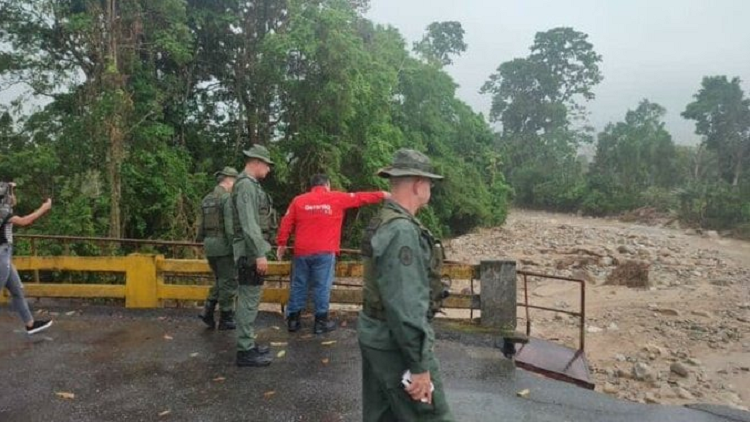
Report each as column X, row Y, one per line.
column 498, row 294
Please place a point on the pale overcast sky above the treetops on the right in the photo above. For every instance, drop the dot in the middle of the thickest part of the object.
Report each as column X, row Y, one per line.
column 656, row 49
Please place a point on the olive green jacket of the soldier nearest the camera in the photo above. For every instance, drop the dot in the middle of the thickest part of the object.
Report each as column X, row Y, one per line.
column 397, row 278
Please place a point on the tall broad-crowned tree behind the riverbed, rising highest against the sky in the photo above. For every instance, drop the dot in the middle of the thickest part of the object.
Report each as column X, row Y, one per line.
column 536, row 100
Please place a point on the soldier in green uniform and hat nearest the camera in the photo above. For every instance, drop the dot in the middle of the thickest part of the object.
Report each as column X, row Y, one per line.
column 402, row 291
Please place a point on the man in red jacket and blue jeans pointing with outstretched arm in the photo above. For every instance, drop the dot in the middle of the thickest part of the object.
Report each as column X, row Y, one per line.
column 315, row 218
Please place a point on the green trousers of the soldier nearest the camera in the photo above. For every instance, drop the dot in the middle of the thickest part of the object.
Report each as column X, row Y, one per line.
column 383, row 397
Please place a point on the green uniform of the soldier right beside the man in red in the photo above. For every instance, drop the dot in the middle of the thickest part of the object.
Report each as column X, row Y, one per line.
column 252, row 228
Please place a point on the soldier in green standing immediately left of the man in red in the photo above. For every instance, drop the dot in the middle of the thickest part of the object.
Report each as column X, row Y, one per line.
column 253, row 225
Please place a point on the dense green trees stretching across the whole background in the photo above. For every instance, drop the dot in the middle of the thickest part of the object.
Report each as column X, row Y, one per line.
column 145, row 99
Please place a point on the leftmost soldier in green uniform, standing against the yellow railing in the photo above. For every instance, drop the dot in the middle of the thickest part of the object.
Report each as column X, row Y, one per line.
column 216, row 233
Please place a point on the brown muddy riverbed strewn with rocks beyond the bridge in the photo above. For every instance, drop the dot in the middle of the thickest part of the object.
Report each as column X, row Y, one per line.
column 683, row 338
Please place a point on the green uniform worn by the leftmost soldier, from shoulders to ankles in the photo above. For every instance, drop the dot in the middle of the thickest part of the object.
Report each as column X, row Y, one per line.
column 217, row 244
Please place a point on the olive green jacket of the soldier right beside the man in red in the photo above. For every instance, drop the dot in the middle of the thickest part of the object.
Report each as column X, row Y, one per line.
column 248, row 198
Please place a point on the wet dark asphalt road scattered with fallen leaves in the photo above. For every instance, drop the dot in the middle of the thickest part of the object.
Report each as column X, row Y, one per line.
column 162, row 365
